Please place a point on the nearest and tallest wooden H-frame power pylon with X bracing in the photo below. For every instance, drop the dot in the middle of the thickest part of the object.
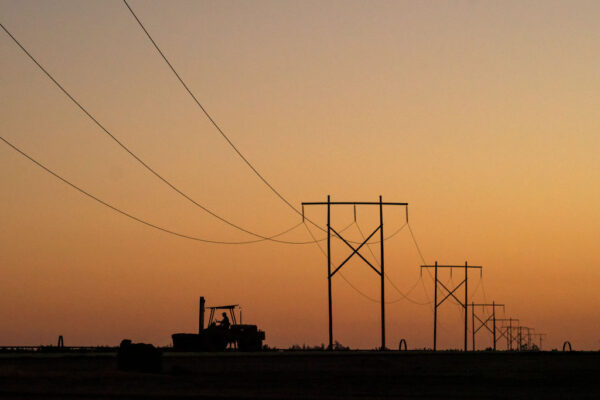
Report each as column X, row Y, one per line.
column 355, row 250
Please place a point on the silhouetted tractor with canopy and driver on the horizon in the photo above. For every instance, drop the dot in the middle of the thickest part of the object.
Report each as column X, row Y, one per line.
column 219, row 337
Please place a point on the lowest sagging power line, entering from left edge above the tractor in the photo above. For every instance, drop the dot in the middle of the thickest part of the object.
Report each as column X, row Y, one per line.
column 131, row 216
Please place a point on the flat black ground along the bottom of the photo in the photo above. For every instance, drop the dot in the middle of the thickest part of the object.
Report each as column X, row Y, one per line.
column 298, row 375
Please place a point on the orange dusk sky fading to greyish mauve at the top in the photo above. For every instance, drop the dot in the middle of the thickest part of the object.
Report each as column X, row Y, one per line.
column 482, row 115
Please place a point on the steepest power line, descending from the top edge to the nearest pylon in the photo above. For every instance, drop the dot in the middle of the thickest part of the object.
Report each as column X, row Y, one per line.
column 213, row 122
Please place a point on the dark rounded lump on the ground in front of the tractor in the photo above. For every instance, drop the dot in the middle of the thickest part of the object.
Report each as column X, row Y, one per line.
column 139, row 357
